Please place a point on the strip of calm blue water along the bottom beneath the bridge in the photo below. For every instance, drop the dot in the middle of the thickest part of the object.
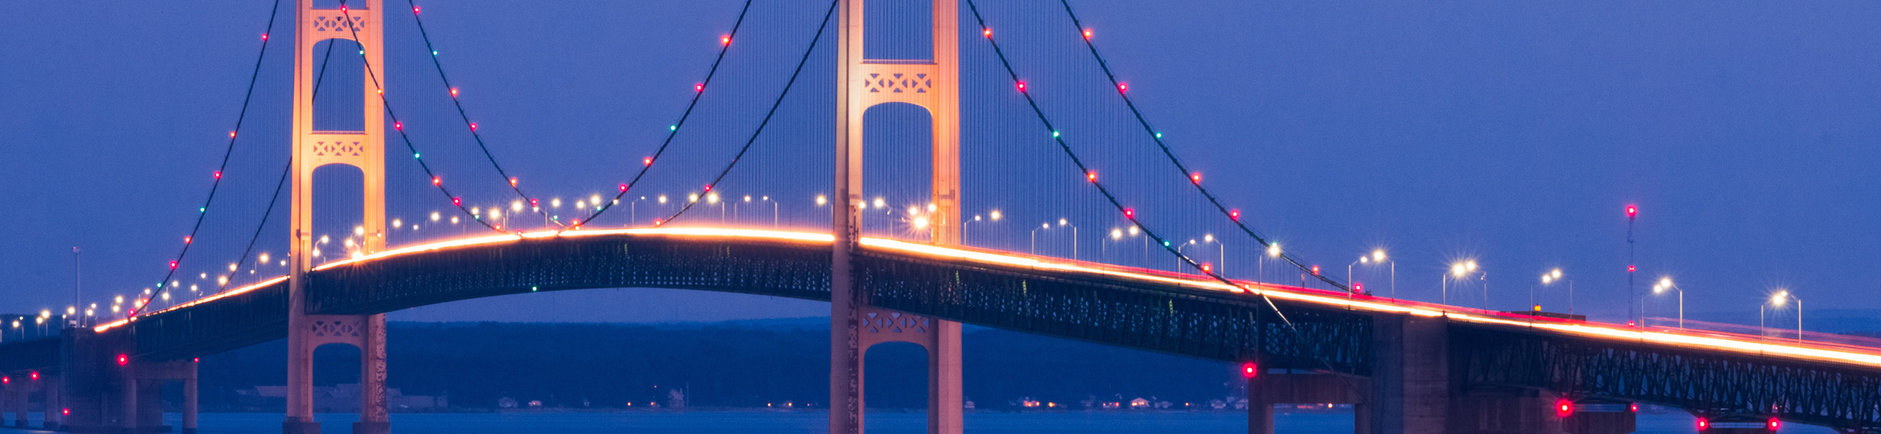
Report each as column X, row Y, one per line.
column 814, row 424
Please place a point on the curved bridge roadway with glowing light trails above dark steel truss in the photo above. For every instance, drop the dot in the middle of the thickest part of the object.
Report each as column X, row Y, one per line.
column 1707, row 373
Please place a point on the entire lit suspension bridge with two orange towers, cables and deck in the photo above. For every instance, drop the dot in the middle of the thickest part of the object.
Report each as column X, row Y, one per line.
column 701, row 208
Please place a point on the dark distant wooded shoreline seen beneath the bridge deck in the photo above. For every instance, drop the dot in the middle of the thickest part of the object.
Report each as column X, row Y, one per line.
column 719, row 365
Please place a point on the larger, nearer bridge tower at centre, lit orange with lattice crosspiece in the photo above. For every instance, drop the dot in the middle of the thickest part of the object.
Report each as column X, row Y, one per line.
column 855, row 326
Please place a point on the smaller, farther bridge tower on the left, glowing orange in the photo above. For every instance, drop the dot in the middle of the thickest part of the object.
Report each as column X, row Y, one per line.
column 313, row 149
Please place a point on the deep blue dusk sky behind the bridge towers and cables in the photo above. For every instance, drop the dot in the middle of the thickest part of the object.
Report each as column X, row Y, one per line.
column 1508, row 132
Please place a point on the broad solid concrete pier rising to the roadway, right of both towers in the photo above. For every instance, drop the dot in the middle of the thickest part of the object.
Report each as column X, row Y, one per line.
column 1410, row 377
